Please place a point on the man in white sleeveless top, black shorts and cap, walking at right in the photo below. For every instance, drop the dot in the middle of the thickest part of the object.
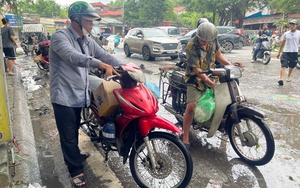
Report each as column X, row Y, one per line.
column 289, row 57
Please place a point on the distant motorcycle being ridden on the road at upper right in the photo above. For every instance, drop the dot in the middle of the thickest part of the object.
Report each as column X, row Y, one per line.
column 264, row 52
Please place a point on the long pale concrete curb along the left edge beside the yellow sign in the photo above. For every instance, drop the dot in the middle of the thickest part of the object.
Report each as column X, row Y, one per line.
column 26, row 169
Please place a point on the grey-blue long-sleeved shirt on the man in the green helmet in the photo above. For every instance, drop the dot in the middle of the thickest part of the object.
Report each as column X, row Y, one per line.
column 69, row 67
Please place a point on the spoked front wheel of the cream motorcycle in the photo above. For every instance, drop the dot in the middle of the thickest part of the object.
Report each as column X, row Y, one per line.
column 259, row 147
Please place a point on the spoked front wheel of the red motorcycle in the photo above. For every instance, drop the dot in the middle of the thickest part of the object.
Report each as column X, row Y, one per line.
column 175, row 162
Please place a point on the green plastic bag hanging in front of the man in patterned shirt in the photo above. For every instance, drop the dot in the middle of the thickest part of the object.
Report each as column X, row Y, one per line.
column 206, row 107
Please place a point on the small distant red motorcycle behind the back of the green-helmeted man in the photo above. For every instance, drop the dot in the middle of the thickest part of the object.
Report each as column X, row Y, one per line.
column 43, row 52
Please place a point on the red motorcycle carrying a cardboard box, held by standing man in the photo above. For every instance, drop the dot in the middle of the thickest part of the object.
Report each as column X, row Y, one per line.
column 122, row 117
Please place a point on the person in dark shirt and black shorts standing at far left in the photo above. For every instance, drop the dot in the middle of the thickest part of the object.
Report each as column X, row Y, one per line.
column 9, row 44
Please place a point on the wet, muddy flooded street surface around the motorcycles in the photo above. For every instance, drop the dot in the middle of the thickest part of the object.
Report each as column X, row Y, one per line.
column 215, row 162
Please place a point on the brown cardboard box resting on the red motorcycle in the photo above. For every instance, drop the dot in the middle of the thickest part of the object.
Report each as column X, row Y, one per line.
column 104, row 98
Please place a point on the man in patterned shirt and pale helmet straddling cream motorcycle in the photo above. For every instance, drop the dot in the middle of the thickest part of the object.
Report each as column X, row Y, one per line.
column 202, row 51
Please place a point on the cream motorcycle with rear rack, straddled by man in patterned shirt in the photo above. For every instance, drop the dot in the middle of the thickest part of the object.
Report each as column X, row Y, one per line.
column 244, row 123
